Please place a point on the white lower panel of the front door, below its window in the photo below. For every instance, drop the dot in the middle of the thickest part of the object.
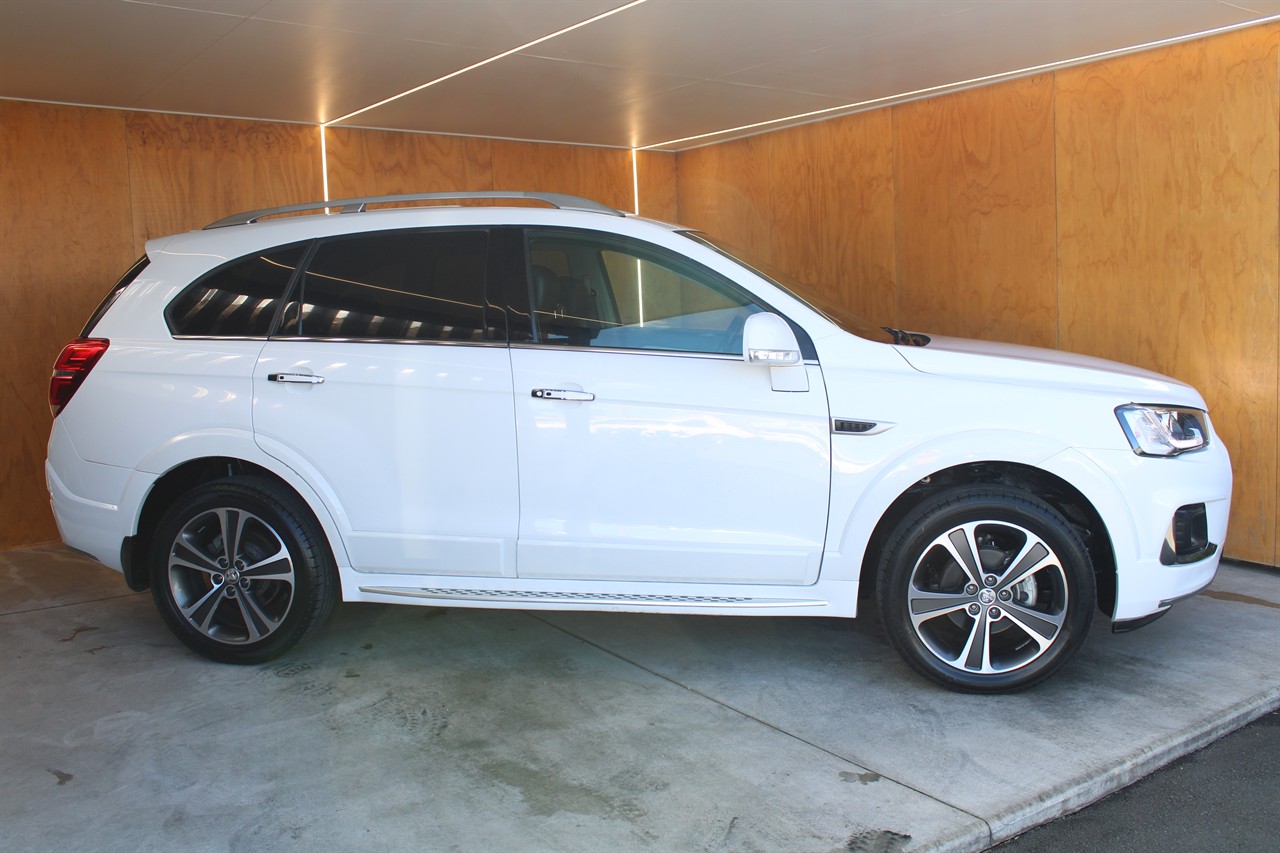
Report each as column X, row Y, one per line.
column 682, row 469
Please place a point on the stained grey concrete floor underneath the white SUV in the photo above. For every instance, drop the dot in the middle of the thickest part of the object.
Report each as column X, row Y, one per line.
column 405, row 728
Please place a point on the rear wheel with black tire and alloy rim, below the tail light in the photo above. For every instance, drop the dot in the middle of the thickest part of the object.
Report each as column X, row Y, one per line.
column 249, row 597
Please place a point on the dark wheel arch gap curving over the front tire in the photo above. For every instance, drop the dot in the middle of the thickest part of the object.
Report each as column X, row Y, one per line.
column 1062, row 495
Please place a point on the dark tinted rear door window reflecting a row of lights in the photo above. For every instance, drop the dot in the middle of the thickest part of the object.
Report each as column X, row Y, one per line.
column 404, row 286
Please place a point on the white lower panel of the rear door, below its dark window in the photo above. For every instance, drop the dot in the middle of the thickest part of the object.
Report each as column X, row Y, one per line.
column 417, row 444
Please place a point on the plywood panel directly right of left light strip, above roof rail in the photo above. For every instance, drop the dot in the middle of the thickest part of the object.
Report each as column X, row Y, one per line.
column 378, row 163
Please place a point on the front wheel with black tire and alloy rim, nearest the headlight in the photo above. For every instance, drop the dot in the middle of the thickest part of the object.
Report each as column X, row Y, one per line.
column 986, row 590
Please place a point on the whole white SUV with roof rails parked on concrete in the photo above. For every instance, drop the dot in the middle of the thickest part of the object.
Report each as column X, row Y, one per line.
column 575, row 409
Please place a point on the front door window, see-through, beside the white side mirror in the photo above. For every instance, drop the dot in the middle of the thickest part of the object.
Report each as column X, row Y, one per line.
column 597, row 291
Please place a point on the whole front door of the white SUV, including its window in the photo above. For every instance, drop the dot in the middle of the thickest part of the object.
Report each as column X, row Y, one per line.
column 648, row 449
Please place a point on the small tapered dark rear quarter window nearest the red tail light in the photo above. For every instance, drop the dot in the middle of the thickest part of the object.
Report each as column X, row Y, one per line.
column 239, row 300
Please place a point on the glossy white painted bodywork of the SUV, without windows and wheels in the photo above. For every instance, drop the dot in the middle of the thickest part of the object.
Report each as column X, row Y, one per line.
column 674, row 483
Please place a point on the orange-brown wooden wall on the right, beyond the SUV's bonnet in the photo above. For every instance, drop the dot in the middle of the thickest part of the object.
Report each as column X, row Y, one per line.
column 1127, row 209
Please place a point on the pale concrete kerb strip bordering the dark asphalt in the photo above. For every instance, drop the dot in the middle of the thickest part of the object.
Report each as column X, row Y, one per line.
column 1085, row 791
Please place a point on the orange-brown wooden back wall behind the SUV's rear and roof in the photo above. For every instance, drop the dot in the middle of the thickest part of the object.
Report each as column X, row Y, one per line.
column 81, row 191
